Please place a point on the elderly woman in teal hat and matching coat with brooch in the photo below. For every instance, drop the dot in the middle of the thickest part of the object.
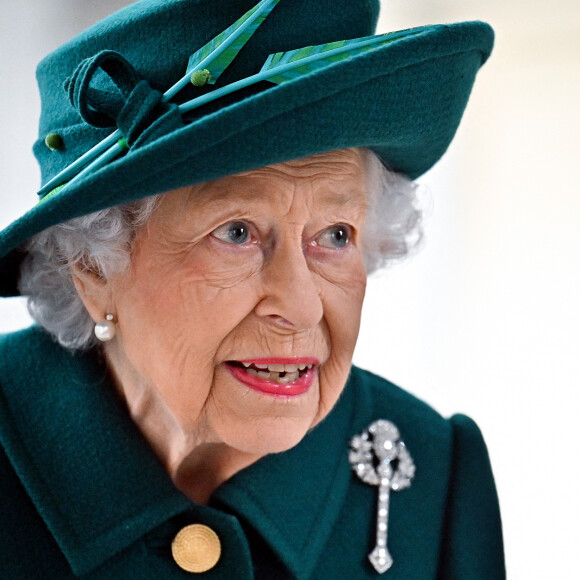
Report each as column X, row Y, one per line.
column 197, row 266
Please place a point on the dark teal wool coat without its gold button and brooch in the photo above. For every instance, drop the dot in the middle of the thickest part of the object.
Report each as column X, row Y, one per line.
column 82, row 494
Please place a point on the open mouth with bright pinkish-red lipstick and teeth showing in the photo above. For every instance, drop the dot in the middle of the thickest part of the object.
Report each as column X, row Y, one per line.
column 275, row 378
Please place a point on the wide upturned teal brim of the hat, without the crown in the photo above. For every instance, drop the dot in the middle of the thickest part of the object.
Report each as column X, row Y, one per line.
column 403, row 100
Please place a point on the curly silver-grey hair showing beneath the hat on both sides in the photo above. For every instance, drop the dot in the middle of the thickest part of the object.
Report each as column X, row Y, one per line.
column 102, row 241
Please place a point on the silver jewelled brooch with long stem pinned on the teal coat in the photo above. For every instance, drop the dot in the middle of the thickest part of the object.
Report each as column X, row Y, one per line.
column 379, row 457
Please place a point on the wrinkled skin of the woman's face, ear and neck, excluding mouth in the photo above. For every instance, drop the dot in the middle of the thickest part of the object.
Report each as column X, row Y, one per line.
column 196, row 296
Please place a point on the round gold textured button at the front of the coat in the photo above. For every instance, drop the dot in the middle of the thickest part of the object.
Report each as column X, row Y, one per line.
column 196, row 548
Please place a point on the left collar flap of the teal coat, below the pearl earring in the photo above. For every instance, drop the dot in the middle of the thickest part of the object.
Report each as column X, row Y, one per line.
column 84, row 464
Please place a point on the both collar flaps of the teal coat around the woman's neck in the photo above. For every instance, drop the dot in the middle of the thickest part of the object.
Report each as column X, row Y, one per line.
column 77, row 452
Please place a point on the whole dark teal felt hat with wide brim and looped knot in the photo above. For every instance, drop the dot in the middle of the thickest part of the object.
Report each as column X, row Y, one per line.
column 401, row 96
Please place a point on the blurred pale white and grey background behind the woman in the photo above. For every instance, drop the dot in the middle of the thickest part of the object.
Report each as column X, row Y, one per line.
column 484, row 319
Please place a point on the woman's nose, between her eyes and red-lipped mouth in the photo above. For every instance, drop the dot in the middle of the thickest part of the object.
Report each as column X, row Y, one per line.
column 291, row 296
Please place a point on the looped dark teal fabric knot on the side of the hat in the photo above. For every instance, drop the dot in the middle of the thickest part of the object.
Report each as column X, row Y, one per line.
column 107, row 91
